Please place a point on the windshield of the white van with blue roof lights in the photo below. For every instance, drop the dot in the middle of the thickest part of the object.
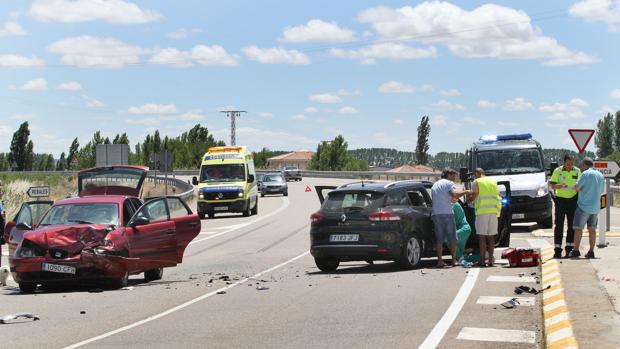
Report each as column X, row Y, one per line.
column 510, row 161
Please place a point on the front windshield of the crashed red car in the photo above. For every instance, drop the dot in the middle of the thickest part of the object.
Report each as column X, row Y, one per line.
column 91, row 213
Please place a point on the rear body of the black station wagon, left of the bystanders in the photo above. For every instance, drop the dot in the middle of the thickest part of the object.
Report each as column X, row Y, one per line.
column 372, row 221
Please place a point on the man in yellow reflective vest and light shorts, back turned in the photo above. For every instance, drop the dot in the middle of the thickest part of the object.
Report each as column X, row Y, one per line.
column 488, row 206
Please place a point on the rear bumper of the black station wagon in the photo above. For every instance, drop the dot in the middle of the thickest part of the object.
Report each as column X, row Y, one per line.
column 355, row 252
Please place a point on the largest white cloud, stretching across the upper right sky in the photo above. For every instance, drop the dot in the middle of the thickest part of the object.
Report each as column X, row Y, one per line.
column 487, row 31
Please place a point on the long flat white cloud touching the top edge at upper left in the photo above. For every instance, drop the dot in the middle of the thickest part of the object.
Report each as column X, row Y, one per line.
column 112, row 11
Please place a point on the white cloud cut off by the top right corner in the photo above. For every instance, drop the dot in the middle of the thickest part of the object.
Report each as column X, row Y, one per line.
column 607, row 11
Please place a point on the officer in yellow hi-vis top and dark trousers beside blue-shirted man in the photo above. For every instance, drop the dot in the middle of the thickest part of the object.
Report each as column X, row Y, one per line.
column 563, row 181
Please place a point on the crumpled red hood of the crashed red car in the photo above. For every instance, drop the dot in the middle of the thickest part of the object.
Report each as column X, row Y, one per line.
column 72, row 239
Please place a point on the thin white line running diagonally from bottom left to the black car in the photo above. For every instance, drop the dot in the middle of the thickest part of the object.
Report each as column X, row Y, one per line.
column 184, row 305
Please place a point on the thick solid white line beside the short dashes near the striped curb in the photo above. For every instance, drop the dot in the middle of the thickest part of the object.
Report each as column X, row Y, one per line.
column 442, row 327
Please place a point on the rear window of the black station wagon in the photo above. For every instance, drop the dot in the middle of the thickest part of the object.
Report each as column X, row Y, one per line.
column 353, row 201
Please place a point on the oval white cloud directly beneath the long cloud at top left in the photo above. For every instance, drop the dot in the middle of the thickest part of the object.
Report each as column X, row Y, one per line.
column 93, row 52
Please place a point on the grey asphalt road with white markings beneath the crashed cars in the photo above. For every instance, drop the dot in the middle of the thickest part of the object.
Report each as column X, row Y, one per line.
column 276, row 297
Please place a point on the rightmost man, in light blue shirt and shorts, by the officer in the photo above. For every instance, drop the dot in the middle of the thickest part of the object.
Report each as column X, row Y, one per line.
column 590, row 187
